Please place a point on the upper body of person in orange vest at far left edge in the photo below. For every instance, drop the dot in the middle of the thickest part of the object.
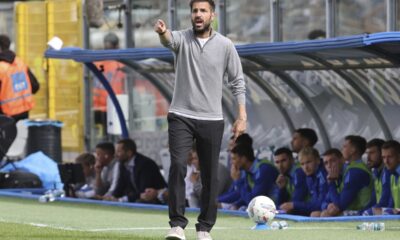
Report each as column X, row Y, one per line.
column 17, row 83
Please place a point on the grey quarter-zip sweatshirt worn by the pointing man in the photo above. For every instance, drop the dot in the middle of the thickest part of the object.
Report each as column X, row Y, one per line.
column 199, row 74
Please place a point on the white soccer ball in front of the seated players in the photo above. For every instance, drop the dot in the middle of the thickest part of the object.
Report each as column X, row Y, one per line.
column 261, row 209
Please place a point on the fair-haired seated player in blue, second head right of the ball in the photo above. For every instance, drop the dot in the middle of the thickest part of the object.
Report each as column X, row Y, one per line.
column 316, row 184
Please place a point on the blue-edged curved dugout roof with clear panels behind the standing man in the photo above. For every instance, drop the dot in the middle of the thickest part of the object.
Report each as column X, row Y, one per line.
column 339, row 86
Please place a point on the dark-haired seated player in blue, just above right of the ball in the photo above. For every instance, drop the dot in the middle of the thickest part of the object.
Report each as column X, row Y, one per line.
column 291, row 180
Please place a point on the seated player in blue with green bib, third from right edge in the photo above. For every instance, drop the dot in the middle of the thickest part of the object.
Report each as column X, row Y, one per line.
column 353, row 193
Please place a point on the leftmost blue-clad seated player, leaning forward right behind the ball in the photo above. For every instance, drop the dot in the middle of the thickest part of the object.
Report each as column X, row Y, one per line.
column 259, row 177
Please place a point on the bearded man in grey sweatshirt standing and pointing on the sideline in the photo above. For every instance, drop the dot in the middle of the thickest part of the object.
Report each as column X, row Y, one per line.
column 202, row 58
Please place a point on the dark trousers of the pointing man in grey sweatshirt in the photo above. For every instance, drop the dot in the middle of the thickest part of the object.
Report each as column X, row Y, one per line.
column 208, row 135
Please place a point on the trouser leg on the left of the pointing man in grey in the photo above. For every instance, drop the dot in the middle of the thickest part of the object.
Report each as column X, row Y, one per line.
column 180, row 134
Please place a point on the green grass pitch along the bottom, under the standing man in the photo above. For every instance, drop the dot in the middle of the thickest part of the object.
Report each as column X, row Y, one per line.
column 29, row 219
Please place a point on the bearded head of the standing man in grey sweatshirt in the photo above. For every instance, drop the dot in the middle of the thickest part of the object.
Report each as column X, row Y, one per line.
column 202, row 16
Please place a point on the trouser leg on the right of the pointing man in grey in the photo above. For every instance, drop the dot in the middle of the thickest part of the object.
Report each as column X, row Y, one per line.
column 208, row 139
